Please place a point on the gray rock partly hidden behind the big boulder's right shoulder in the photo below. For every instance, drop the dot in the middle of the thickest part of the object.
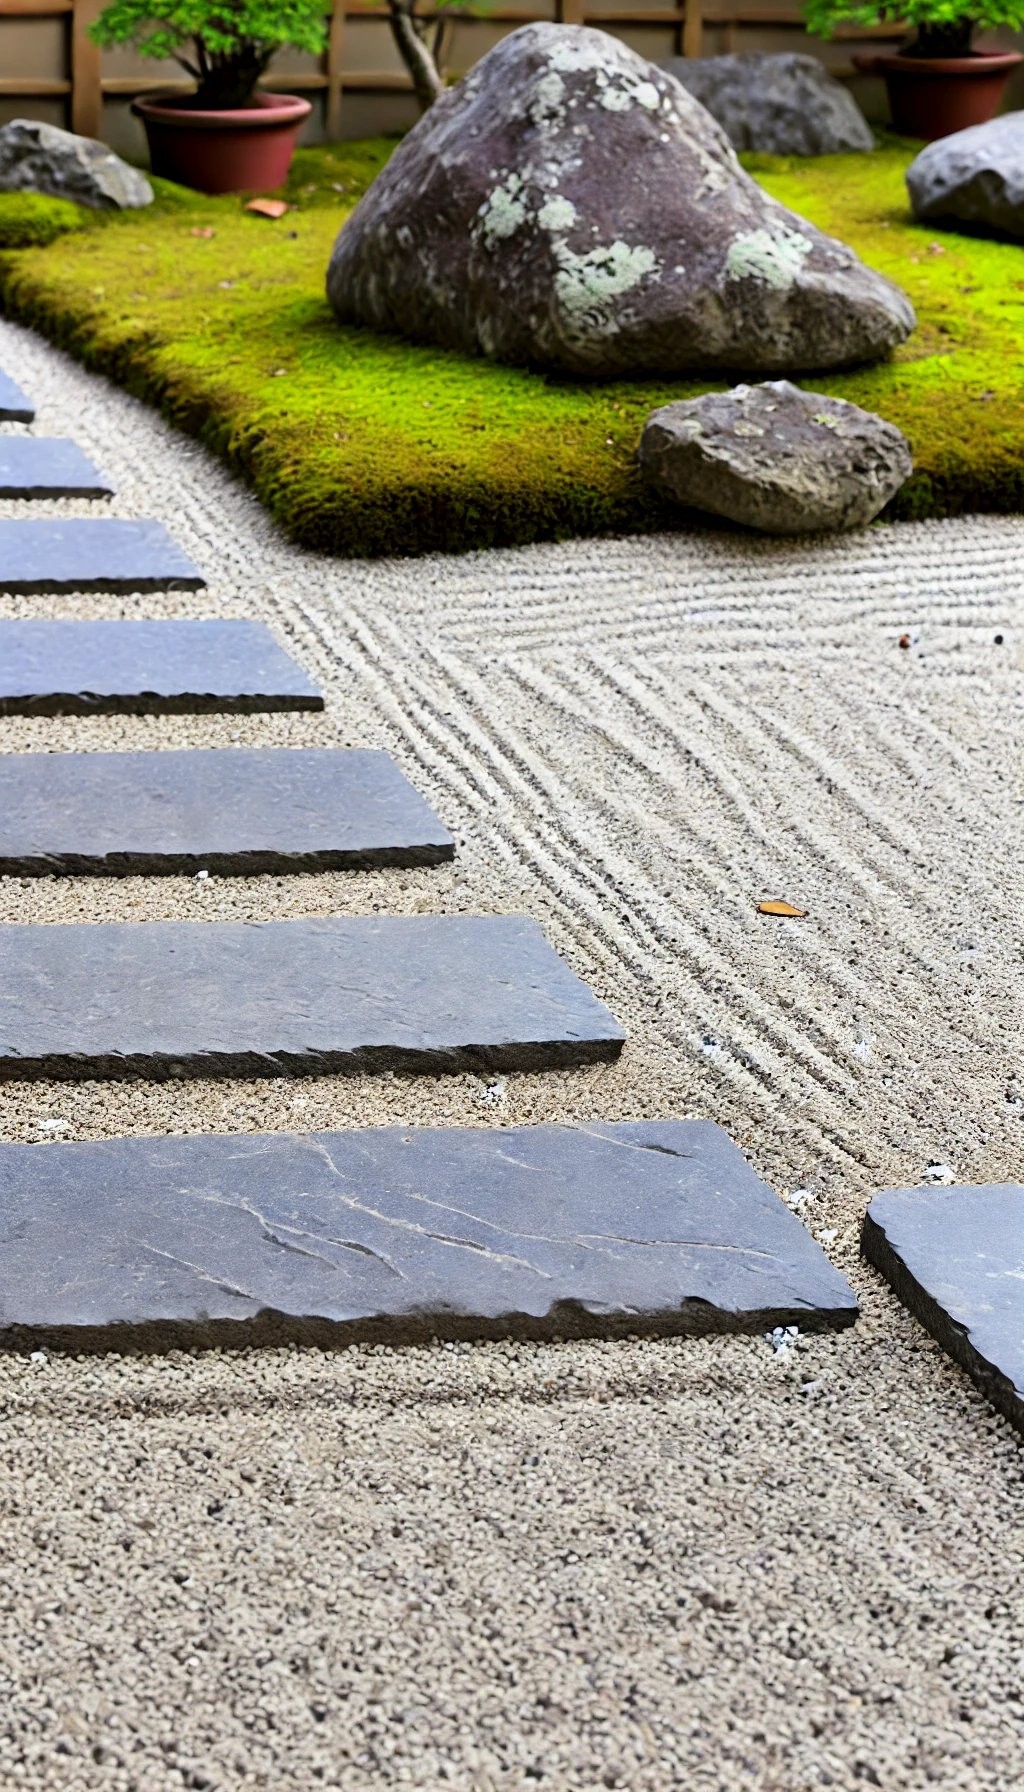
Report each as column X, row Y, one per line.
column 776, row 105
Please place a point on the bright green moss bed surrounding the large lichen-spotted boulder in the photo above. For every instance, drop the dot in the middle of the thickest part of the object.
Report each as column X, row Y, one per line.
column 369, row 445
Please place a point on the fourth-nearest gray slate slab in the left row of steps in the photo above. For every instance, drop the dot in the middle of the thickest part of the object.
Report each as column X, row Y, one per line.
column 148, row 668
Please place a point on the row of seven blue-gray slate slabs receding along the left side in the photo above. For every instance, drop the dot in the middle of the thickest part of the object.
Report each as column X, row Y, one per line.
column 655, row 1227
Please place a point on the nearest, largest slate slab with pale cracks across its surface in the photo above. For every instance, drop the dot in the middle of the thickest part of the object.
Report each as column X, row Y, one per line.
column 403, row 1234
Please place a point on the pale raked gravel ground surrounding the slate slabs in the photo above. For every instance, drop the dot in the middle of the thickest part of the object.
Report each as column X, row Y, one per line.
column 655, row 1565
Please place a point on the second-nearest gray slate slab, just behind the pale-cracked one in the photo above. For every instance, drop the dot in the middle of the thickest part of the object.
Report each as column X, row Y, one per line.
column 225, row 999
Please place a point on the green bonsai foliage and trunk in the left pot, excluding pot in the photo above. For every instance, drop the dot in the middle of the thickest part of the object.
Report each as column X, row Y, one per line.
column 223, row 44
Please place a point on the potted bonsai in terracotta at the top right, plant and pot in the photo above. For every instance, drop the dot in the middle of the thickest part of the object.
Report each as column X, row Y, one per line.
column 939, row 82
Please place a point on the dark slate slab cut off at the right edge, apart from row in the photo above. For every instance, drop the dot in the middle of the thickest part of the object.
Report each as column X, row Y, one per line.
column 957, row 1259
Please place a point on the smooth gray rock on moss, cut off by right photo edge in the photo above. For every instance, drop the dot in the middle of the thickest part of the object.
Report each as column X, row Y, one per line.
column 973, row 178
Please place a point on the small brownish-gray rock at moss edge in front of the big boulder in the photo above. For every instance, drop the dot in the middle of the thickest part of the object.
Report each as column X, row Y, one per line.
column 776, row 460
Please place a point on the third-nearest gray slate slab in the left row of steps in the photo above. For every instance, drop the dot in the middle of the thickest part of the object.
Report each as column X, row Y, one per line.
column 230, row 811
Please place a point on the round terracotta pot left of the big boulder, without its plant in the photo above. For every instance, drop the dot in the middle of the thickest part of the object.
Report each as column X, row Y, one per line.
column 223, row 151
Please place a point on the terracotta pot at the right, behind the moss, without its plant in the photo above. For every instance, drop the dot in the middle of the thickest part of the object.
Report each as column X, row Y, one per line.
column 933, row 96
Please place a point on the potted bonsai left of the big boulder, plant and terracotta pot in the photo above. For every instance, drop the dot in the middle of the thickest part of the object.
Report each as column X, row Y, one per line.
column 225, row 137
